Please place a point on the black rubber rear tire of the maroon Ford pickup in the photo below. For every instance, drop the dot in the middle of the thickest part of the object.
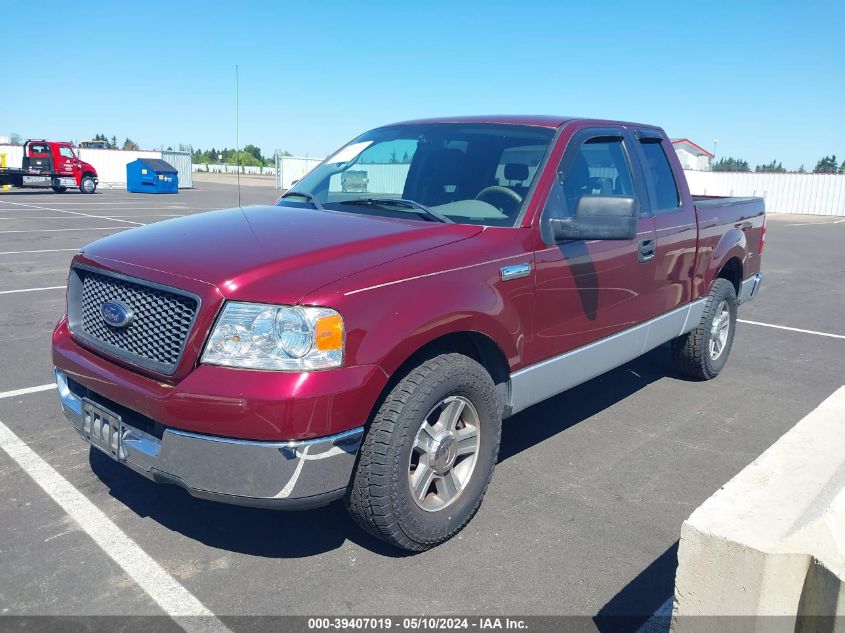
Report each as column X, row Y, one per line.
column 692, row 353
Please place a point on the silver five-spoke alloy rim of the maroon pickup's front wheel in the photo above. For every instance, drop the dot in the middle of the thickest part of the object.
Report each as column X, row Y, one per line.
column 444, row 453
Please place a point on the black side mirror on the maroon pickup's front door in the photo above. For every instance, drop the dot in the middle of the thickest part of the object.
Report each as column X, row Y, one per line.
column 599, row 218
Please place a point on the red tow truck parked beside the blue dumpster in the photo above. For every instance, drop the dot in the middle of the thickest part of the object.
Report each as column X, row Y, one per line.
column 52, row 164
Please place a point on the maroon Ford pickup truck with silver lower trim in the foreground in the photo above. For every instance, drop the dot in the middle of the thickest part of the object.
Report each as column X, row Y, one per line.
column 366, row 345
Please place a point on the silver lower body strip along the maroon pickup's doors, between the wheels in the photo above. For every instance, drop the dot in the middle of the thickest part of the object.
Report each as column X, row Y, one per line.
column 550, row 377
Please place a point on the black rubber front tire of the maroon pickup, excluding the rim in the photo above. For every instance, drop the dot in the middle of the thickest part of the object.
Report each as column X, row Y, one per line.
column 379, row 497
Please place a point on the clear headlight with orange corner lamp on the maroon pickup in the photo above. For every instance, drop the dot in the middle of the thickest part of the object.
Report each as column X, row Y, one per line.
column 287, row 338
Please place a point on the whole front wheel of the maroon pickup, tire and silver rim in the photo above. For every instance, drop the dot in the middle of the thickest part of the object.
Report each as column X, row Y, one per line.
column 429, row 454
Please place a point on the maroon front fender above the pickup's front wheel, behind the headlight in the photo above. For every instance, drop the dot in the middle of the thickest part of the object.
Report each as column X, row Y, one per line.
column 392, row 313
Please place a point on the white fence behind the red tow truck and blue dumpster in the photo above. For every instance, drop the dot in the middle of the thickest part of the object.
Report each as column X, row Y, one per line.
column 111, row 163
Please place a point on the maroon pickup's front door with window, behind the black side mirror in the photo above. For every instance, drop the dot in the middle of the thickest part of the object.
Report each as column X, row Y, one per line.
column 587, row 290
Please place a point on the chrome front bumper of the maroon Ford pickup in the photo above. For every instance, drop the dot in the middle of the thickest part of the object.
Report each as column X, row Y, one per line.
column 287, row 475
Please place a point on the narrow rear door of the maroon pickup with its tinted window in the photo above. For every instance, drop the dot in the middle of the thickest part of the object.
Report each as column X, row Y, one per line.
column 676, row 228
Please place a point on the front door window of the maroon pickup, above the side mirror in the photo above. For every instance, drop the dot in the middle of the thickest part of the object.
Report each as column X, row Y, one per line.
column 599, row 168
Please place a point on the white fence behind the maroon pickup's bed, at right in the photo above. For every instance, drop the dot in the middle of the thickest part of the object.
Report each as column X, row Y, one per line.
column 812, row 194
